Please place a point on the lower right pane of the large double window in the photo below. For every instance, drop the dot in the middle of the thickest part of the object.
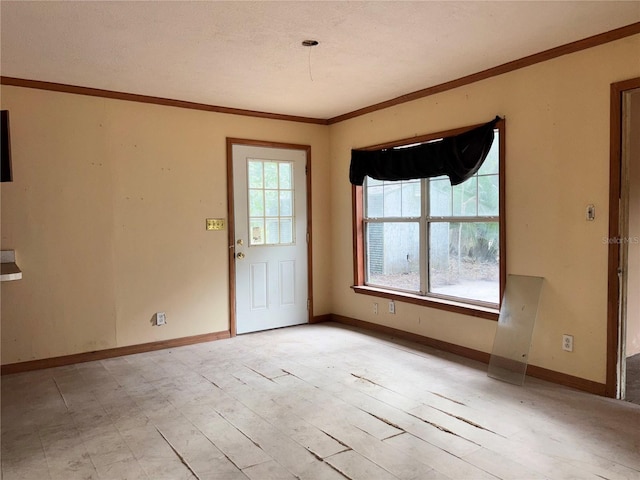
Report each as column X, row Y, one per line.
column 463, row 260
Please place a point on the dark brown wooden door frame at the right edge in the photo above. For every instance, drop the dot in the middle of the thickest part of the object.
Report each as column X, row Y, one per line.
column 614, row 305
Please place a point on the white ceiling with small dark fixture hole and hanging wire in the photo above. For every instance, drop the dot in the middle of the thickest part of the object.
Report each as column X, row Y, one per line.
column 248, row 55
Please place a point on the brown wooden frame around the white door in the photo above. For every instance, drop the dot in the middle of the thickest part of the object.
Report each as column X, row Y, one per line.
column 231, row 222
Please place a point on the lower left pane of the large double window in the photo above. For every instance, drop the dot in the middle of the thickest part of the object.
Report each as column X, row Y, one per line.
column 393, row 255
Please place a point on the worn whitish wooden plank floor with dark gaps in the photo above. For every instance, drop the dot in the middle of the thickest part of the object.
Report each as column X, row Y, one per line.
column 312, row 402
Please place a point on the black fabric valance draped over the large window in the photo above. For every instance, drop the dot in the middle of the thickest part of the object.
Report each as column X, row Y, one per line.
column 459, row 157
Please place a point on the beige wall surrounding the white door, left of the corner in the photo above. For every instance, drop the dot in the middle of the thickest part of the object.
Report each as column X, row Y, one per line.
column 106, row 214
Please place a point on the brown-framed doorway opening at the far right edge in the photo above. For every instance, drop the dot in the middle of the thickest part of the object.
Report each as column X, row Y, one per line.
column 623, row 342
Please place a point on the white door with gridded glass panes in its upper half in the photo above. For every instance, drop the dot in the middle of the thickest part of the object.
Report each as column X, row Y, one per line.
column 270, row 216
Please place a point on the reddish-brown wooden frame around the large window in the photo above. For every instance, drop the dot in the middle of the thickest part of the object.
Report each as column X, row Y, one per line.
column 456, row 306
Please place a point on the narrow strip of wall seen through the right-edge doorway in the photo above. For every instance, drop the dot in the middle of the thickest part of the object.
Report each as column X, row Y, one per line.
column 633, row 267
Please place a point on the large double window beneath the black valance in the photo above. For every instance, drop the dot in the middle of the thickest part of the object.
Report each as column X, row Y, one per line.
column 434, row 243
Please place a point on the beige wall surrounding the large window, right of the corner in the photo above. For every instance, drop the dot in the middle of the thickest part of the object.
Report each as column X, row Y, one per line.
column 557, row 162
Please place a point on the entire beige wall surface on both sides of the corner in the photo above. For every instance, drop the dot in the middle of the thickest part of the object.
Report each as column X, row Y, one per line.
column 107, row 208
